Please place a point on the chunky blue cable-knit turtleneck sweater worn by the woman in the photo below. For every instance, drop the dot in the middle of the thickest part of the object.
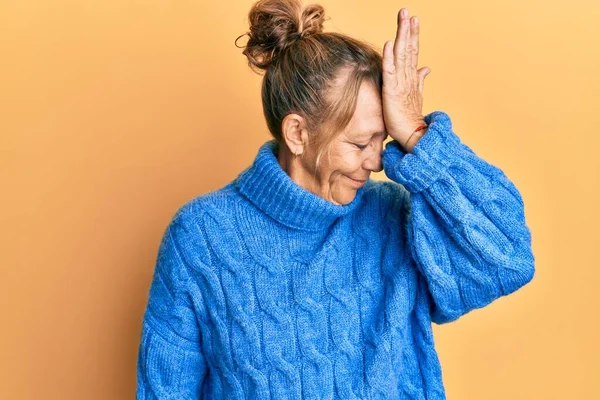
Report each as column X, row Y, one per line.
column 264, row 290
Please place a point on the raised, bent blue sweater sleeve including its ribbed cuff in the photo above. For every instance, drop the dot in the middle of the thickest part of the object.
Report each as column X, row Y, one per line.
column 465, row 222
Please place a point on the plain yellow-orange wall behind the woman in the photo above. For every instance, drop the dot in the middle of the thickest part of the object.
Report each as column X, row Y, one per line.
column 114, row 113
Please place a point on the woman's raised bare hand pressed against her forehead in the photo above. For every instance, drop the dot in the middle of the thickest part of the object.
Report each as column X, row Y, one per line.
column 402, row 94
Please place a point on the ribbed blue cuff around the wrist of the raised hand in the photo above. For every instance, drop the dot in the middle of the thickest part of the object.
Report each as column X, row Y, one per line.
column 431, row 156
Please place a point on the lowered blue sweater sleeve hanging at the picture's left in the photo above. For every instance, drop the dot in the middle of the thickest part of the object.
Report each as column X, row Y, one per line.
column 171, row 364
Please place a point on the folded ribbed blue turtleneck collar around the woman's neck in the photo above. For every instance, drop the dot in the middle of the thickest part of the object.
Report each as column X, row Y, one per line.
column 272, row 190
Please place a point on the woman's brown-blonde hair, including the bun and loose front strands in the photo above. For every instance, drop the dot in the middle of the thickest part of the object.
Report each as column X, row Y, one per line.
column 301, row 64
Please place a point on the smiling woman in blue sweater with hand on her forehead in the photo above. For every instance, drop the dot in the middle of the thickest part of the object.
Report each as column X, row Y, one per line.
column 305, row 279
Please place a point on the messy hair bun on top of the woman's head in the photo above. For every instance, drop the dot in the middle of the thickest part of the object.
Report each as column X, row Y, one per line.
column 276, row 25
